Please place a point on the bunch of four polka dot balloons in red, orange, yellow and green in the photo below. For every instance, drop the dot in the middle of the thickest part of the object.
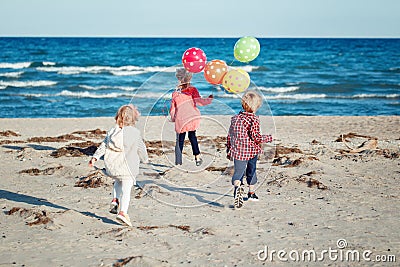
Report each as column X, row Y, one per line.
column 217, row 72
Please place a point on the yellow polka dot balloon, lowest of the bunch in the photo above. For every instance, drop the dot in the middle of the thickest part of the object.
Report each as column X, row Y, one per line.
column 236, row 81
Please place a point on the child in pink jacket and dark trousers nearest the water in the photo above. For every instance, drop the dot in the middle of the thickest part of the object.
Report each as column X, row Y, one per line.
column 186, row 115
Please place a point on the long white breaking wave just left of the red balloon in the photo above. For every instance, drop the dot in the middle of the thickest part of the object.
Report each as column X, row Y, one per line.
column 117, row 71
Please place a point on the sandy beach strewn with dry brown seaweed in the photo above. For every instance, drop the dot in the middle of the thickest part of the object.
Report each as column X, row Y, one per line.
column 320, row 189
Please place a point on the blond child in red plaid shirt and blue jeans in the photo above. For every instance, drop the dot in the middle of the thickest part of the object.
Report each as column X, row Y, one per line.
column 243, row 146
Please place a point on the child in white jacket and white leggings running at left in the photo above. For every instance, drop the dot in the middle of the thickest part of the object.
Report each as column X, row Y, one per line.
column 123, row 149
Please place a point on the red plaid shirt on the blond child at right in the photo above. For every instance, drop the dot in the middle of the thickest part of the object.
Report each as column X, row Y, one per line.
column 244, row 138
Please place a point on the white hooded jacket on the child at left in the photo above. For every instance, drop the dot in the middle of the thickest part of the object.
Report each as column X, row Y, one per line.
column 123, row 149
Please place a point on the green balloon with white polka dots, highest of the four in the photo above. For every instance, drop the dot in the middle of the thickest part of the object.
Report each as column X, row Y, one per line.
column 246, row 49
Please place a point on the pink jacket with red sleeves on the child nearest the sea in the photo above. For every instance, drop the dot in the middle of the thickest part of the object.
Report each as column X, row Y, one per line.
column 184, row 111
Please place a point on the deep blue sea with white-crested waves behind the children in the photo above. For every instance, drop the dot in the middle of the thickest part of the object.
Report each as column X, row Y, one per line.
column 44, row 77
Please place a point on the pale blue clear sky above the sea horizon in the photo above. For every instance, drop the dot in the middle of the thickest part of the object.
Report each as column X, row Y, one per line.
column 202, row 18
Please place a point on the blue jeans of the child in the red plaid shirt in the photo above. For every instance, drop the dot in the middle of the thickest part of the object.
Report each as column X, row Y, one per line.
column 245, row 166
